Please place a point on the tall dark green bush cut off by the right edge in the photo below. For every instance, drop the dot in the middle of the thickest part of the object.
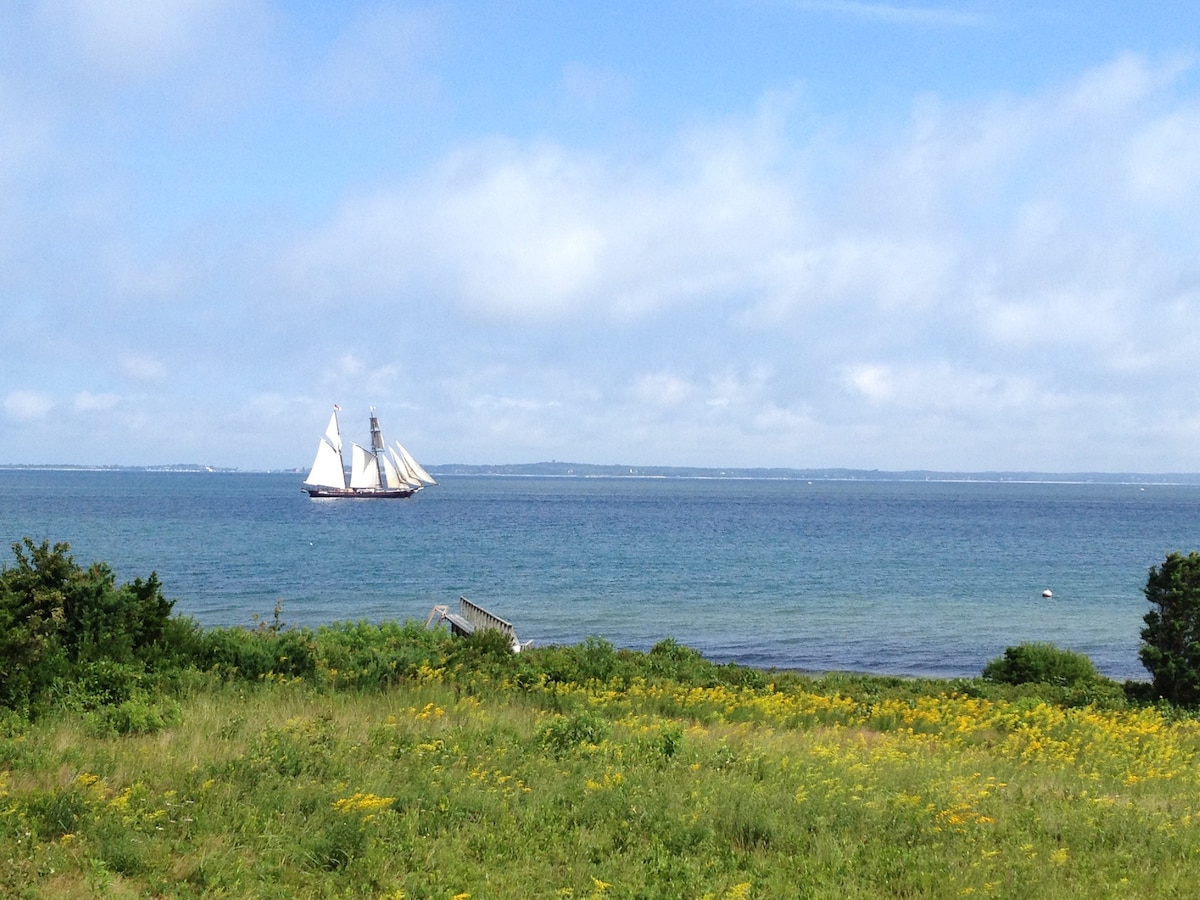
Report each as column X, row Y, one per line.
column 1171, row 649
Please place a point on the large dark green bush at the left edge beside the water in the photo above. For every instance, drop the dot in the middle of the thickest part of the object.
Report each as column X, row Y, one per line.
column 73, row 632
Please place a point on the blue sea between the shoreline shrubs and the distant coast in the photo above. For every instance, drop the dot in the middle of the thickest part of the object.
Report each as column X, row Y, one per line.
column 889, row 578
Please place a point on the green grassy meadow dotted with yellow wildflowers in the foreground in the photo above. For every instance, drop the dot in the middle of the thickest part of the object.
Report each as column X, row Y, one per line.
column 593, row 773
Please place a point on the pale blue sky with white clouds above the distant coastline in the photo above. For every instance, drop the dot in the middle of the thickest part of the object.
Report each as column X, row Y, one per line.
column 735, row 233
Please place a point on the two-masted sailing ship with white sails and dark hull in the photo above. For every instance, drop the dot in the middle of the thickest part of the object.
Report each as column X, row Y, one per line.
column 382, row 472
